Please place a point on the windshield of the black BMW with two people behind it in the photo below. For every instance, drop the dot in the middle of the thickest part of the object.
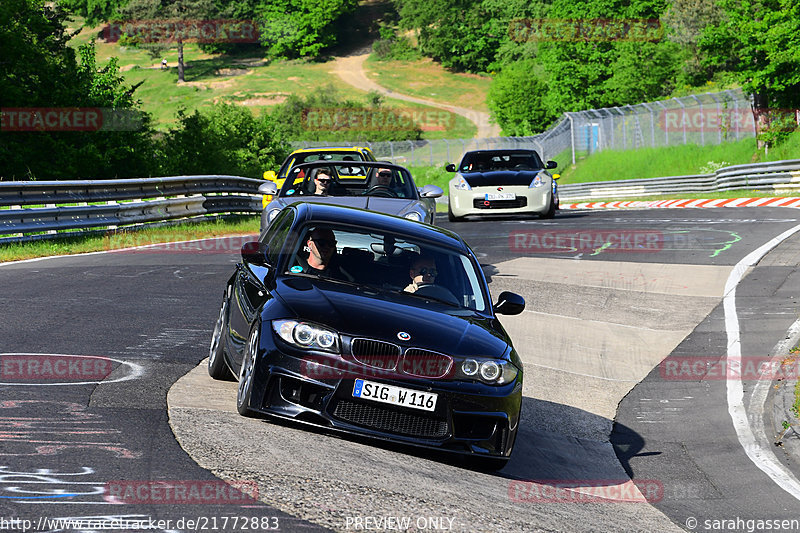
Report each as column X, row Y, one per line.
column 414, row 269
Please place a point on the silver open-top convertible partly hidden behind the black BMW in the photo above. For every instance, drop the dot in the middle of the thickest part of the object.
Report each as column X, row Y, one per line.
column 377, row 186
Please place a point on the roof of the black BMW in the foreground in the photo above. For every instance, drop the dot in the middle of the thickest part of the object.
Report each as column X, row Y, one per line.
column 334, row 214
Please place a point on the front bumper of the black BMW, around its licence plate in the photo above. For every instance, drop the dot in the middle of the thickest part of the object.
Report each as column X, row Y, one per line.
column 469, row 418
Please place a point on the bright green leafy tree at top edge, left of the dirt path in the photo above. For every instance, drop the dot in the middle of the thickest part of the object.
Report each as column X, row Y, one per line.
column 300, row 28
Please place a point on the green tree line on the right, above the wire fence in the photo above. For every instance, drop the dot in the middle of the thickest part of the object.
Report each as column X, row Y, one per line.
column 552, row 56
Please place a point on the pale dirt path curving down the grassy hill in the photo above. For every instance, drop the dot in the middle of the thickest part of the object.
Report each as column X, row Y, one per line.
column 351, row 70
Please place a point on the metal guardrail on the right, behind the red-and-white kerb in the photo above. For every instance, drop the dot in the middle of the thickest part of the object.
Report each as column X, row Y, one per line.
column 773, row 176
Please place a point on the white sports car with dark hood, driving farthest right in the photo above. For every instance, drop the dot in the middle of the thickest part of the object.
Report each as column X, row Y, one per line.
column 502, row 182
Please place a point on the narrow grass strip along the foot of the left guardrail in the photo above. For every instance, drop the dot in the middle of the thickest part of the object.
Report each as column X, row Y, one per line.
column 126, row 238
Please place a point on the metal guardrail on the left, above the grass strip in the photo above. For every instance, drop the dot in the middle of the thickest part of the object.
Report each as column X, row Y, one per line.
column 27, row 209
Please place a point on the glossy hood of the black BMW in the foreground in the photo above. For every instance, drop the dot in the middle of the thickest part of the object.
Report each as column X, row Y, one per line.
column 359, row 312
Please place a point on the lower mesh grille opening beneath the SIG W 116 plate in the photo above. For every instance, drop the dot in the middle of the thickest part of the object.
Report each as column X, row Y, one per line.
column 382, row 419
